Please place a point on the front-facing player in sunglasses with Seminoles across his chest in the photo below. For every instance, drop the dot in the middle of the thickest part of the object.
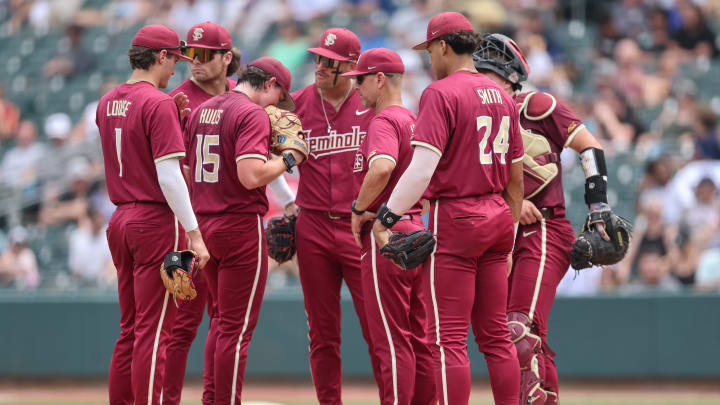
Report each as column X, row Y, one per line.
column 335, row 122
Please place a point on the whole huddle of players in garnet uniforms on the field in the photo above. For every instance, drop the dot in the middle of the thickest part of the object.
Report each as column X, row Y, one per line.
column 188, row 171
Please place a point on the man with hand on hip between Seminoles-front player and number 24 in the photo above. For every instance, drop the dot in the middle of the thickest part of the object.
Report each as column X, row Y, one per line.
column 394, row 306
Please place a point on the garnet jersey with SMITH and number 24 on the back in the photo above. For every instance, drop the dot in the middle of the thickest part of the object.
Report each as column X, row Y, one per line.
column 473, row 124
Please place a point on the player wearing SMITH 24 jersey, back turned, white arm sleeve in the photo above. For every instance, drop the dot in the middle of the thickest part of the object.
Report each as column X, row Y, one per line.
column 468, row 155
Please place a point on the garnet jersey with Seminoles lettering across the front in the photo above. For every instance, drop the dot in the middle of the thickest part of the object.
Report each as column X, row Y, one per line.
column 326, row 178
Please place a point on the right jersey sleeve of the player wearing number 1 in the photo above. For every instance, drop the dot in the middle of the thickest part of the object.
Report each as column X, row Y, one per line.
column 166, row 140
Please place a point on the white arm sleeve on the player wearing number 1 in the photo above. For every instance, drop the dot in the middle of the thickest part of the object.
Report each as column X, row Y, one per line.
column 176, row 193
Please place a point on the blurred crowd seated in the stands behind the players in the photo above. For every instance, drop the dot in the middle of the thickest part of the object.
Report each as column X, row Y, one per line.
column 643, row 74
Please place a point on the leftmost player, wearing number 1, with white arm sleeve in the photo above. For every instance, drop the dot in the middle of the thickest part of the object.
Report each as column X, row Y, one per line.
column 142, row 144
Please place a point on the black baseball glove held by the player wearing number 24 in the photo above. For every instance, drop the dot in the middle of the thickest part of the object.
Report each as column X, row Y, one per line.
column 409, row 250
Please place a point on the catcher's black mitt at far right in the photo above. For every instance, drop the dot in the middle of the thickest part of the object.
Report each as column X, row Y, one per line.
column 592, row 249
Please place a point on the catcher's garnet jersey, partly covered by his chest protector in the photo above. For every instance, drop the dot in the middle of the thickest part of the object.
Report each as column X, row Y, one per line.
column 560, row 127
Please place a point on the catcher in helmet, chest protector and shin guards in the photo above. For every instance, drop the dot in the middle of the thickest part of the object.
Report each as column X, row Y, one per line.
column 544, row 245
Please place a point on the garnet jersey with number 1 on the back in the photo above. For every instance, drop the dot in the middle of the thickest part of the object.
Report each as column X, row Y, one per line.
column 139, row 126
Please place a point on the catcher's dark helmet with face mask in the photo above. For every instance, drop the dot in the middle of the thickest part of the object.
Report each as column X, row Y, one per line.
column 500, row 54
